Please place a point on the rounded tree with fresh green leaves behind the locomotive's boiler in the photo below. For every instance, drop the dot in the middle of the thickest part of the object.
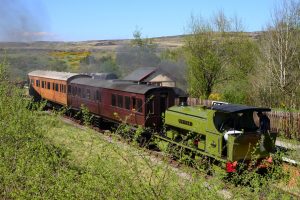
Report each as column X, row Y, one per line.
column 216, row 55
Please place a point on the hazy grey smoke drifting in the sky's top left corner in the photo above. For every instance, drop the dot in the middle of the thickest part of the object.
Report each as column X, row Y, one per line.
column 22, row 21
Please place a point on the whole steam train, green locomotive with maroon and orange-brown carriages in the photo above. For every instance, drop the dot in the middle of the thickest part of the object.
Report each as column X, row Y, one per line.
column 227, row 133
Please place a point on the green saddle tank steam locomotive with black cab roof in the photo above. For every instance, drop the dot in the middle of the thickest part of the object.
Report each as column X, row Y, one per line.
column 226, row 132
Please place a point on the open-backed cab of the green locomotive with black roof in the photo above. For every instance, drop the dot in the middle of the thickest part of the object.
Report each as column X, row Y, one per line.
column 241, row 134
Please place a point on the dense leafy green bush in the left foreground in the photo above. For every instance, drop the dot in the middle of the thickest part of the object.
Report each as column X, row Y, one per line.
column 29, row 167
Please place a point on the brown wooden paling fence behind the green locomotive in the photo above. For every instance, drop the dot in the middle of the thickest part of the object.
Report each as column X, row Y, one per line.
column 284, row 123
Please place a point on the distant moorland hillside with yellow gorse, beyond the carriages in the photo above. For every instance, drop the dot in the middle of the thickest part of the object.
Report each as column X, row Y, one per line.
column 90, row 56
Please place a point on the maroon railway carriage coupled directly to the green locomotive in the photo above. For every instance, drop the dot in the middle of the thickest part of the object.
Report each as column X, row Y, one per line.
column 122, row 101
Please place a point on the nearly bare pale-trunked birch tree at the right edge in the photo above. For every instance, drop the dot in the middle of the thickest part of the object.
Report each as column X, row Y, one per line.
column 280, row 48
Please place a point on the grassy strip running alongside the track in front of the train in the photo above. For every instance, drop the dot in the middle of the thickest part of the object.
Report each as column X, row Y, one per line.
column 124, row 170
